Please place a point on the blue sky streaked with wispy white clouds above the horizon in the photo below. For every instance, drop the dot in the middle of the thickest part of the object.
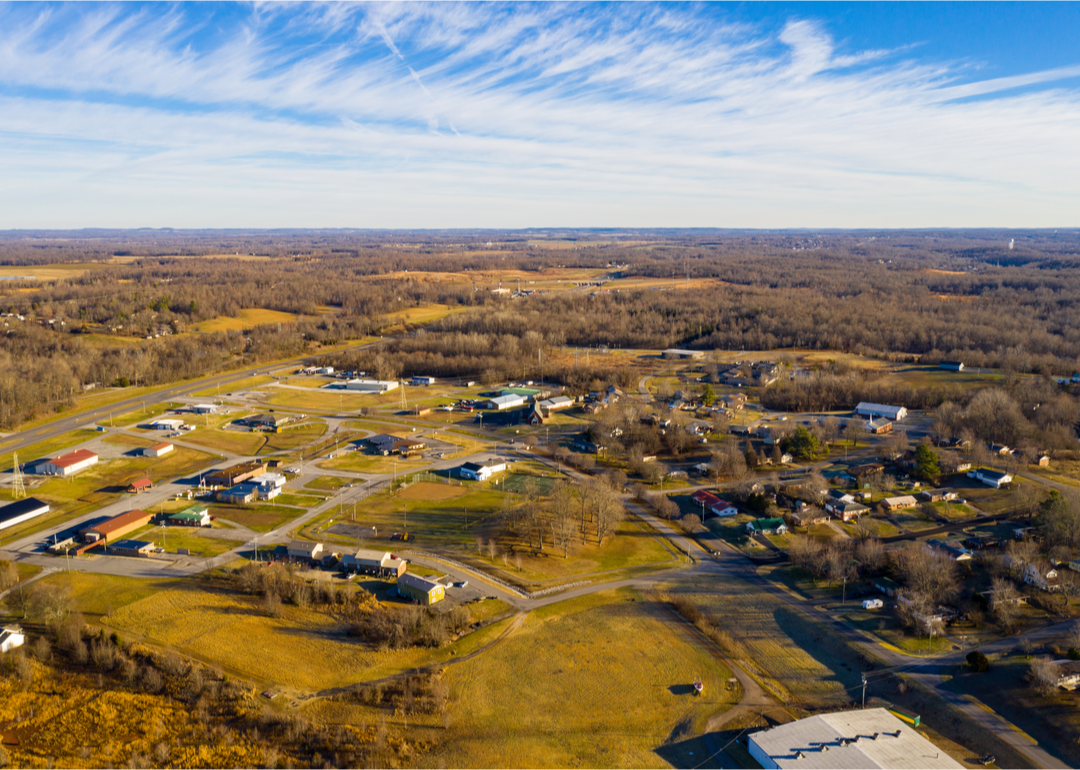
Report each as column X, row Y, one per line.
column 506, row 116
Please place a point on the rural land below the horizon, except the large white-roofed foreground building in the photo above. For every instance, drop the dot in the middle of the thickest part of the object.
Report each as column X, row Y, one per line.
column 544, row 499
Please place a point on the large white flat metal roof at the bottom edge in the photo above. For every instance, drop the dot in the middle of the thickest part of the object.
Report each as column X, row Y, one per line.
column 811, row 737
